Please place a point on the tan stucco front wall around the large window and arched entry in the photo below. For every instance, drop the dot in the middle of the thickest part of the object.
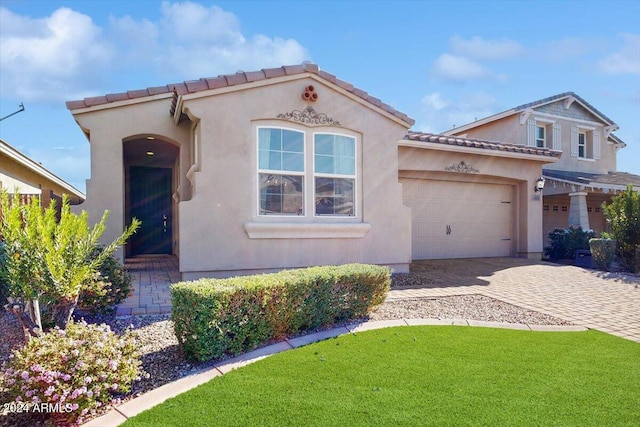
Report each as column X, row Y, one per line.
column 218, row 203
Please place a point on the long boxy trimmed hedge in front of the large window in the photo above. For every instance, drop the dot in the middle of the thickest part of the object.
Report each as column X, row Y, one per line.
column 217, row 317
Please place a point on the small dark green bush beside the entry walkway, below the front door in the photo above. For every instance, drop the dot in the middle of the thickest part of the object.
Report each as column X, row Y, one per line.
column 110, row 288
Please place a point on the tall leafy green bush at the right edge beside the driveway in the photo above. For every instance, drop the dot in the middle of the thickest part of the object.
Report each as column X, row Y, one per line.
column 623, row 216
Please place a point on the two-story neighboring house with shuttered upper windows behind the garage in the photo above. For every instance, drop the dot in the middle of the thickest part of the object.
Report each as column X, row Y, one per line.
column 586, row 175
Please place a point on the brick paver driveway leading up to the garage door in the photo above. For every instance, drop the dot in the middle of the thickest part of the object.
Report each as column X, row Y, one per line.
column 609, row 302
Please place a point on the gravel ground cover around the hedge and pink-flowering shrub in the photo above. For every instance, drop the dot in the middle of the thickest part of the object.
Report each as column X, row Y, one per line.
column 165, row 362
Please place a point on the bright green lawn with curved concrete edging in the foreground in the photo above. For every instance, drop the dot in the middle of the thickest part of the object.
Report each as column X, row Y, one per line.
column 442, row 376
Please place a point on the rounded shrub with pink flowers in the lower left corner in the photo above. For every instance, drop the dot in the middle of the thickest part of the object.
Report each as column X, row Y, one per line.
column 77, row 368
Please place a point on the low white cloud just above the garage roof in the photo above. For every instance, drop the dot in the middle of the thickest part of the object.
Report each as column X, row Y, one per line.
column 439, row 114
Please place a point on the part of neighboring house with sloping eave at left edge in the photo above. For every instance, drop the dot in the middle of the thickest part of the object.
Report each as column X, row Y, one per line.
column 29, row 178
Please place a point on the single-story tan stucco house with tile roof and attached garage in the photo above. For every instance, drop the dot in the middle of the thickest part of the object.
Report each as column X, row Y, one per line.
column 290, row 167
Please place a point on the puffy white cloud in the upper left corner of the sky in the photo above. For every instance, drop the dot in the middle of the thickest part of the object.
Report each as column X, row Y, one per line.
column 51, row 58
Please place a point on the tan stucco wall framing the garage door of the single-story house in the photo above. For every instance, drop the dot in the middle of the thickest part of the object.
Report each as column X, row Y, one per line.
column 521, row 174
